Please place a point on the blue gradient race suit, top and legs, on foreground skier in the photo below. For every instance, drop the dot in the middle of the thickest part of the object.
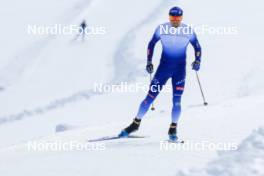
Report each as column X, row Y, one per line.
column 172, row 64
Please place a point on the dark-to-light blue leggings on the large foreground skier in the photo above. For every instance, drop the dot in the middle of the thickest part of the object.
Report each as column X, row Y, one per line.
column 177, row 75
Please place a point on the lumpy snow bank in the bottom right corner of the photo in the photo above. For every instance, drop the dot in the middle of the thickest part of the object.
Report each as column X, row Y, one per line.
column 247, row 160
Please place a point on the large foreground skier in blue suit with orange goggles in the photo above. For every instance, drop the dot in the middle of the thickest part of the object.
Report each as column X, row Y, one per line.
column 172, row 65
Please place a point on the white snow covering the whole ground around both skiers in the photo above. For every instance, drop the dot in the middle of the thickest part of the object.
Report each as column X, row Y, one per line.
column 46, row 90
